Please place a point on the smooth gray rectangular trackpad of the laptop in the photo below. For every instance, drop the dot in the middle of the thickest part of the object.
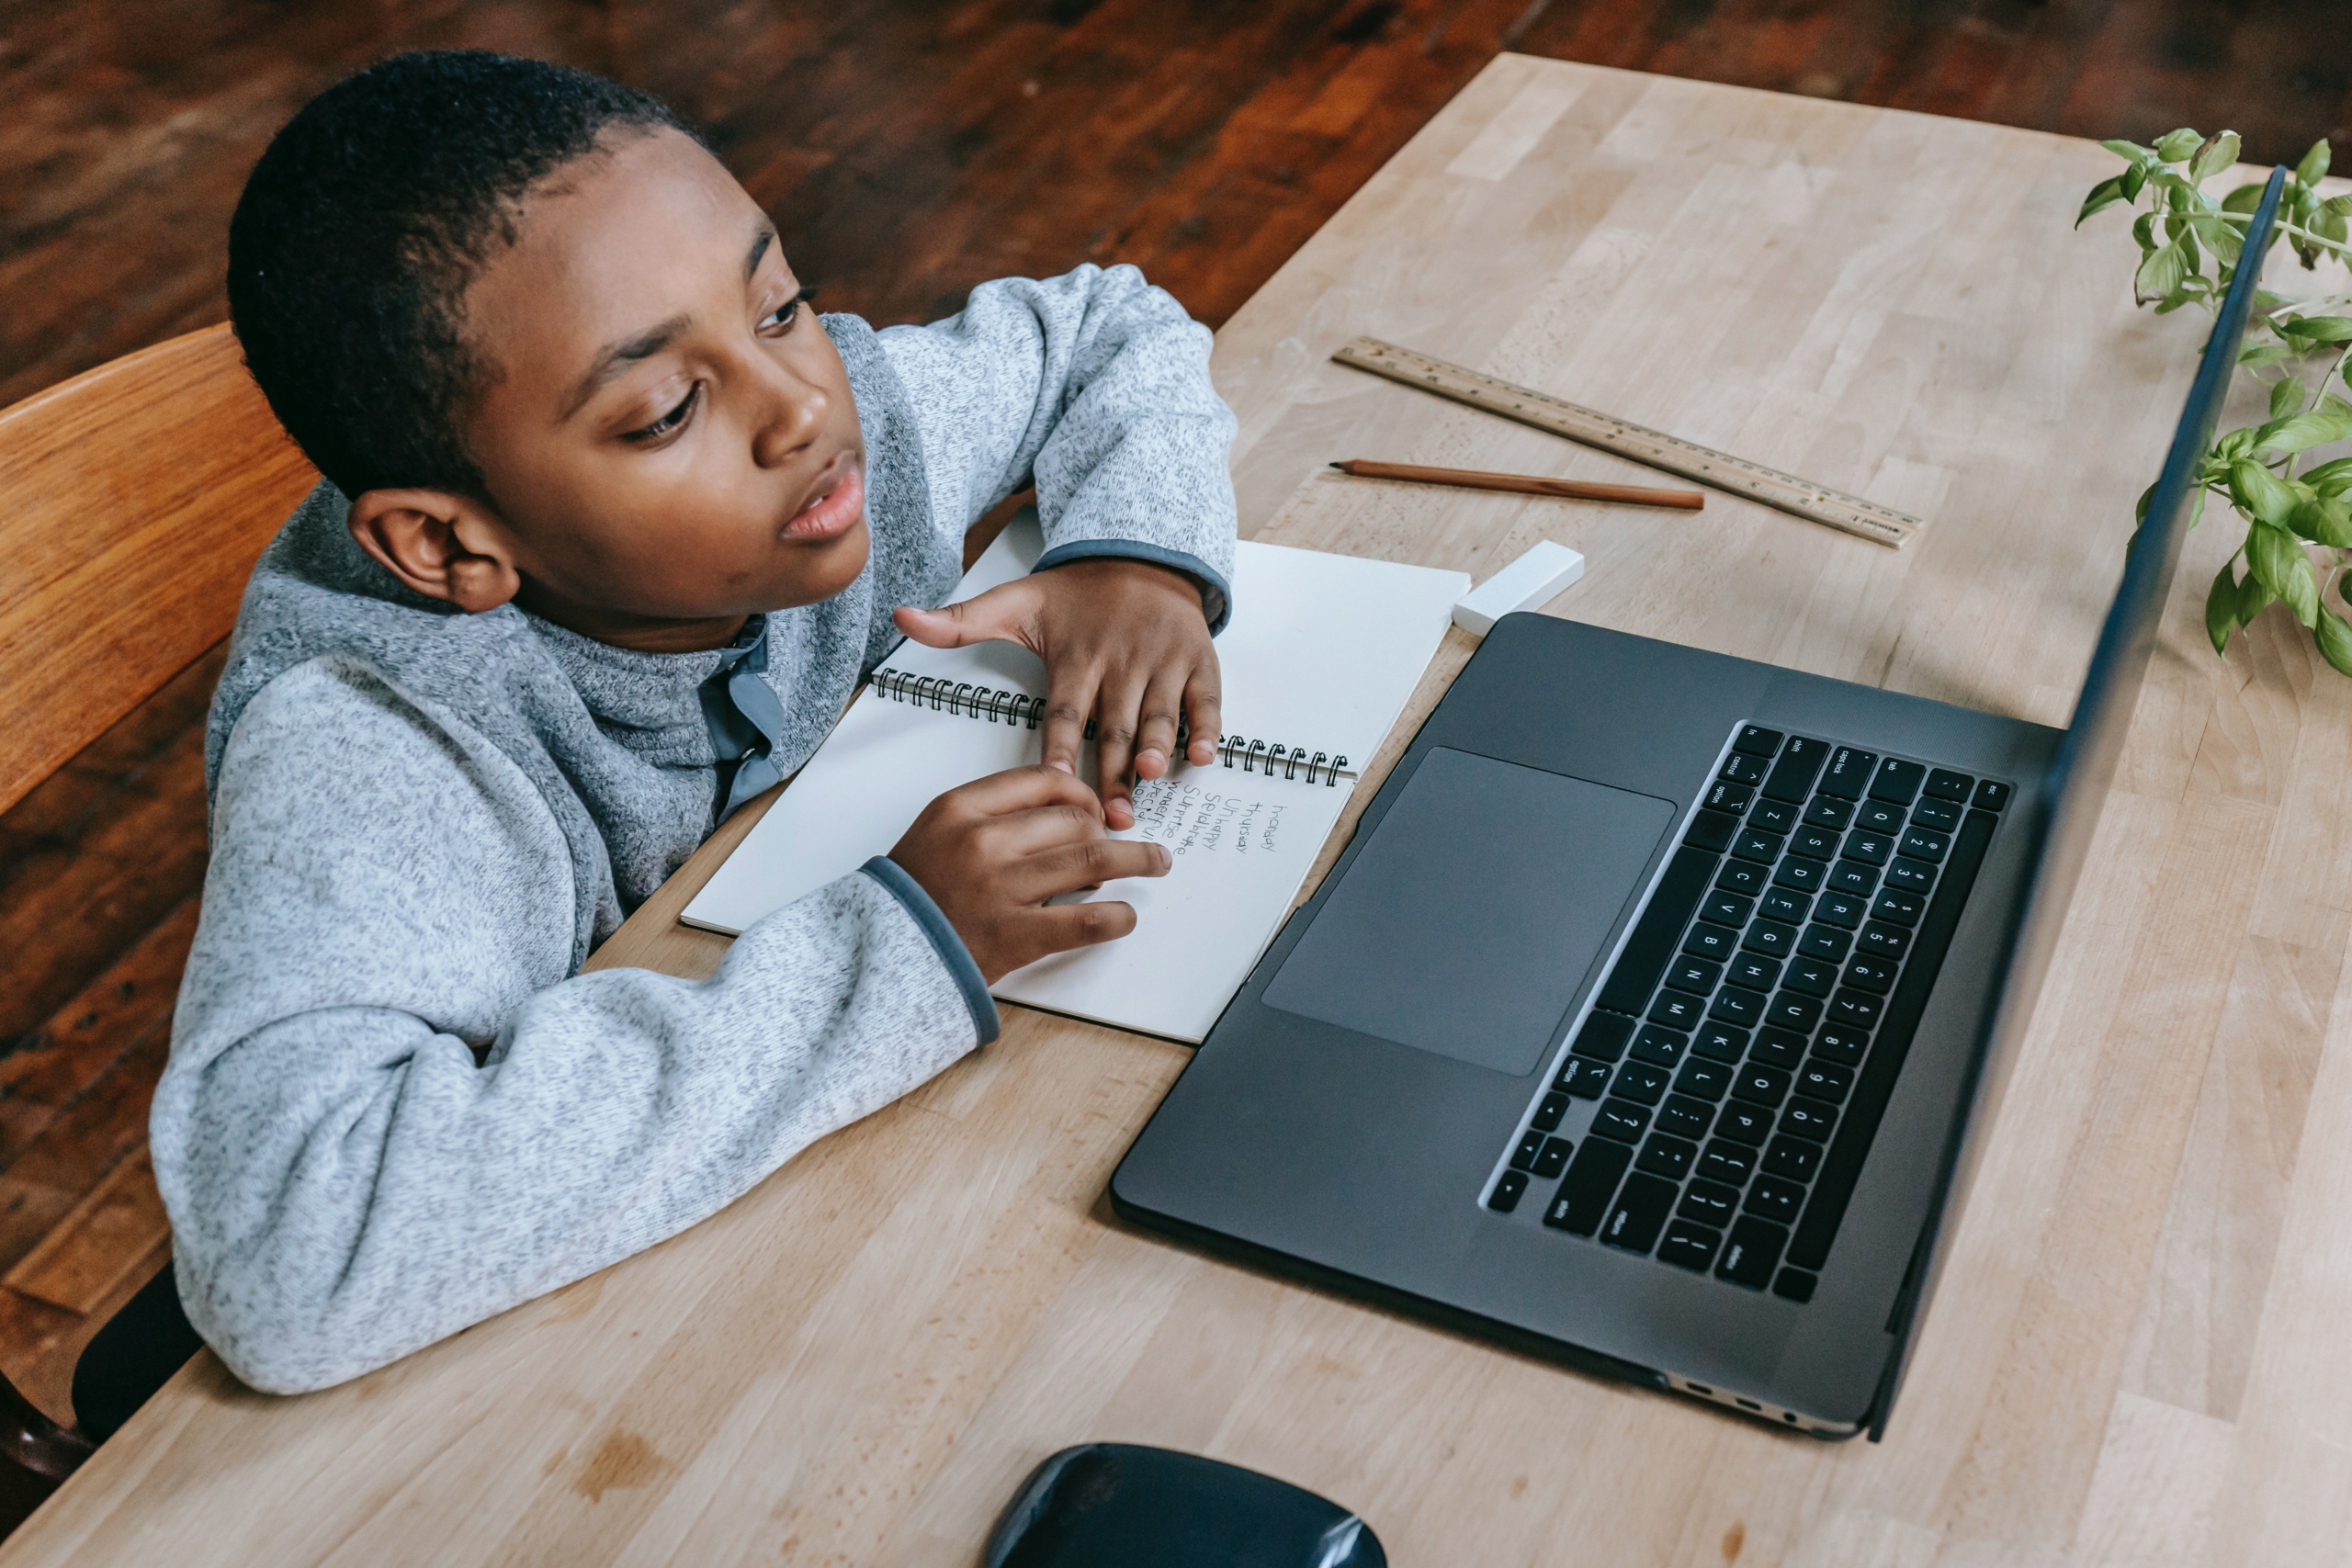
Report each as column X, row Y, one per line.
column 1476, row 911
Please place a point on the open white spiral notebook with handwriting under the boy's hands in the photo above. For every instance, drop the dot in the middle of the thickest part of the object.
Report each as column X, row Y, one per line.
column 1321, row 657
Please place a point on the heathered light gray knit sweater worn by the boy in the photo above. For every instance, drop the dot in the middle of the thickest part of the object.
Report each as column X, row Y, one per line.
column 425, row 822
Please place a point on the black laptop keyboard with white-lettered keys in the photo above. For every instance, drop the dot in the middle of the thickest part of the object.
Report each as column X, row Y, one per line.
column 1749, row 1038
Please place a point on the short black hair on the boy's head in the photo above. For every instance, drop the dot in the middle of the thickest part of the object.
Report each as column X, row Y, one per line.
column 361, row 232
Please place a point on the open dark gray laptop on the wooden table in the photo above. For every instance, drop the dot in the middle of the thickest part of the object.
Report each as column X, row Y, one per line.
column 1652, row 1014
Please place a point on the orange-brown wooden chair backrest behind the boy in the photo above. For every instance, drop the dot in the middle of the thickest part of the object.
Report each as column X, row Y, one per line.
column 133, row 507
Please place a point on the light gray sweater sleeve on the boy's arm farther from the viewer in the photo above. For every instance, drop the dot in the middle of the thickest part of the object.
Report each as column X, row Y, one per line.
column 1095, row 384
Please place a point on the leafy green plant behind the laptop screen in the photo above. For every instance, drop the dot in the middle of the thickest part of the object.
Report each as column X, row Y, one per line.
column 2191, row 248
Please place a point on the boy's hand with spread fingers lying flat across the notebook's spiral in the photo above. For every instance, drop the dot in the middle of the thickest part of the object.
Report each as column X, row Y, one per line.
column 1123, row 645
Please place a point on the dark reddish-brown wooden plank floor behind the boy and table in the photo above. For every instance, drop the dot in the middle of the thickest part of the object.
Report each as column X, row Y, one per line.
column 909, row 149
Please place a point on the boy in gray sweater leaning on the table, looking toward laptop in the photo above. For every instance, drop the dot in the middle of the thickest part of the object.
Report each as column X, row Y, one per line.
column 613, row 530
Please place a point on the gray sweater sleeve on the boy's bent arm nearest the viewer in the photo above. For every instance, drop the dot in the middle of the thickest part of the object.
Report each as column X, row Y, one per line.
column 389, row 897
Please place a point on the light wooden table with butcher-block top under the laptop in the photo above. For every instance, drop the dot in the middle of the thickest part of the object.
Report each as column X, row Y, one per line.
column 2134, row 1353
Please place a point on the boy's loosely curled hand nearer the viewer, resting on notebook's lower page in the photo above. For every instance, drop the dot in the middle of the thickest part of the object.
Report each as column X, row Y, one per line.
column 998, row 847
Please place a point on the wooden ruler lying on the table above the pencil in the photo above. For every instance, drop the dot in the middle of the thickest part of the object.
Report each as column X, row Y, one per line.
column 1638, row 443
